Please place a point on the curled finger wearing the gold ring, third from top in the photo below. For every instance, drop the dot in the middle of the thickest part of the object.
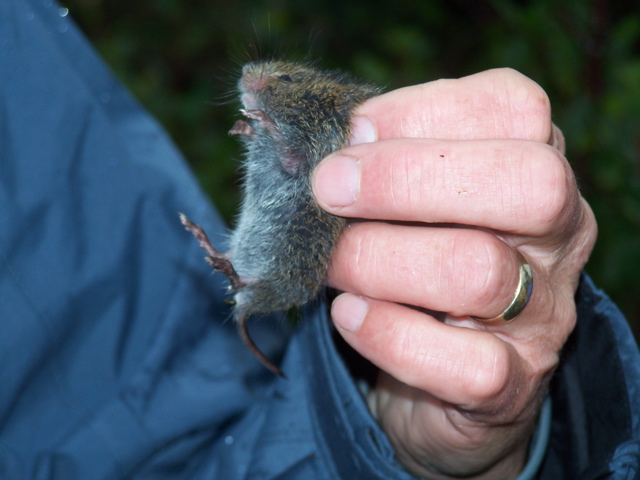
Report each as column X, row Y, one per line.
column 459, row 271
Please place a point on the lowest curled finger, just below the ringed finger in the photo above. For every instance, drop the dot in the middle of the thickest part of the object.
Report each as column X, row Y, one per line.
column 462, row 366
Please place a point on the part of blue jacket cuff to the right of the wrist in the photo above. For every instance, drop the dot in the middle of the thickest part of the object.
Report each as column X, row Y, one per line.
column 595, row 429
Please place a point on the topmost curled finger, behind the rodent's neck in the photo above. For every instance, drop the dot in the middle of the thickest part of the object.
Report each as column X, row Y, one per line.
column 495, row 104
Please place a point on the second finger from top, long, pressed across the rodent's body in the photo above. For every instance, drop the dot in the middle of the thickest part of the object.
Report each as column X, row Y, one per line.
column 529, row 188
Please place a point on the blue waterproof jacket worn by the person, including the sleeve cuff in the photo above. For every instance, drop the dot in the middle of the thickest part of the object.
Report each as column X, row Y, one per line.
column 117, row 356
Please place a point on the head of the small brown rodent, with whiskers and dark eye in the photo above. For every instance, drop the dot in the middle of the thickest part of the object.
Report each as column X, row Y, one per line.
column 308, row 109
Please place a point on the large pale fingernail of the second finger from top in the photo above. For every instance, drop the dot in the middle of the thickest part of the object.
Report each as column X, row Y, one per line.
column 337, row 181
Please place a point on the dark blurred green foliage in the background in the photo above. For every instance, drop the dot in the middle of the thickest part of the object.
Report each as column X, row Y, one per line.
column 181, row 59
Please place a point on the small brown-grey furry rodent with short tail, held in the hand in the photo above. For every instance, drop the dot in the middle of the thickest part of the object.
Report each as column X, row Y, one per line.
column 279, row 251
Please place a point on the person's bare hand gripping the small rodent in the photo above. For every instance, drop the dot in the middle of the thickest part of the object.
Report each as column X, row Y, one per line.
column 459, row 175
